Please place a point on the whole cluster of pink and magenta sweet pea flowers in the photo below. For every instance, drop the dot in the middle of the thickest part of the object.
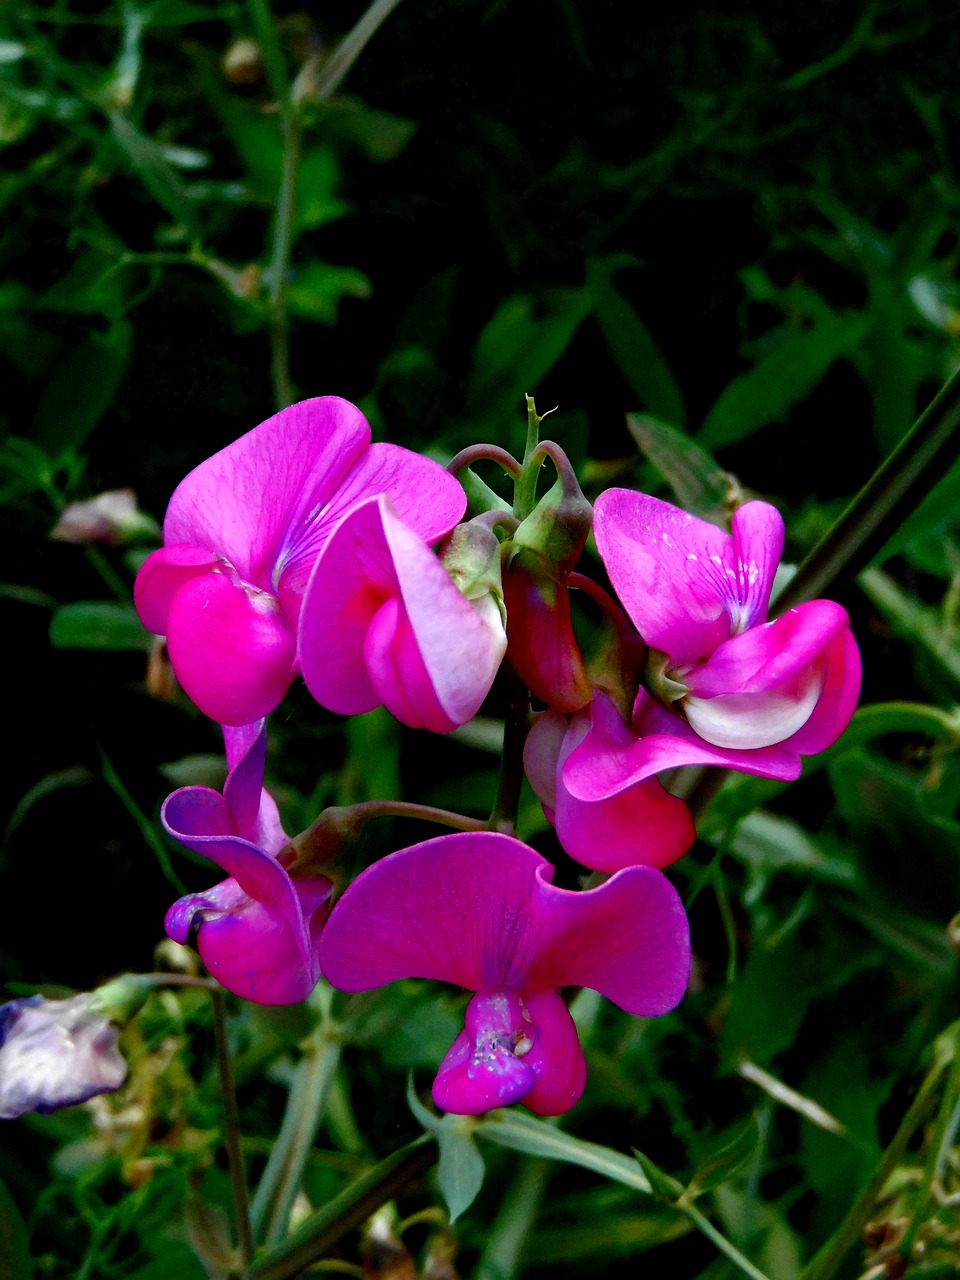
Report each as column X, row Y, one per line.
column 303, row 550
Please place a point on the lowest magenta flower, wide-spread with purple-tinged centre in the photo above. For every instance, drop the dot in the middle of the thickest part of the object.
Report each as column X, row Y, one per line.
column 479, row 911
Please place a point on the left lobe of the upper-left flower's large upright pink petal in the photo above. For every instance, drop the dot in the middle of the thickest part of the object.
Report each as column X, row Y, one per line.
column 253, row 501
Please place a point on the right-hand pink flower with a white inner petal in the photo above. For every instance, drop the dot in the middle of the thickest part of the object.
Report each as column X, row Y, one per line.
column 724, row 687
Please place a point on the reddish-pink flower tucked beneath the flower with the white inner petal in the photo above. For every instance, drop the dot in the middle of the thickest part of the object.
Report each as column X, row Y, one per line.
column 642, row 825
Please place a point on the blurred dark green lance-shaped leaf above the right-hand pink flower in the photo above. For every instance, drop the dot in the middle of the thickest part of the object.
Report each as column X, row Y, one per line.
column 769, row 391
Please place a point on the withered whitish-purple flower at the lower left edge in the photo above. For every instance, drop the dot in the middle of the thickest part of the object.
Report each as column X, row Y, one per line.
column 56, row 1054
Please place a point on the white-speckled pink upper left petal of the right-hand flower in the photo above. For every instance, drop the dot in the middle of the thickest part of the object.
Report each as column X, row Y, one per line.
column 671, row 570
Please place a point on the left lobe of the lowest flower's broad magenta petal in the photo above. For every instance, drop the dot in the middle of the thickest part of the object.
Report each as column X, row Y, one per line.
column 455, row 908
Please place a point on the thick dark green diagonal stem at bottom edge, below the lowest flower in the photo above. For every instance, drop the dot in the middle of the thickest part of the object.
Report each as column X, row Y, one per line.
column 345, row 1213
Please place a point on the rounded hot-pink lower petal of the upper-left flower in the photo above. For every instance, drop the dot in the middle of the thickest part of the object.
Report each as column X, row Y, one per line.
column 231, row 650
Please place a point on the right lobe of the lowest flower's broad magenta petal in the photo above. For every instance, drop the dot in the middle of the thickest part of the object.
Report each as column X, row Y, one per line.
column 628, row 939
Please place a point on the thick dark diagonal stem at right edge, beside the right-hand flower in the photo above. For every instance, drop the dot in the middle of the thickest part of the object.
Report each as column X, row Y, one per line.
column 895, row 490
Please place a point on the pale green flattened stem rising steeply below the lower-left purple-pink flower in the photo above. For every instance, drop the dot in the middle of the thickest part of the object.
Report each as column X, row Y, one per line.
column 271, row 1212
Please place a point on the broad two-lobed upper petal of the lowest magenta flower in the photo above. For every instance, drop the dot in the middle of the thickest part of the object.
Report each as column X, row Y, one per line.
column 479, row 911
